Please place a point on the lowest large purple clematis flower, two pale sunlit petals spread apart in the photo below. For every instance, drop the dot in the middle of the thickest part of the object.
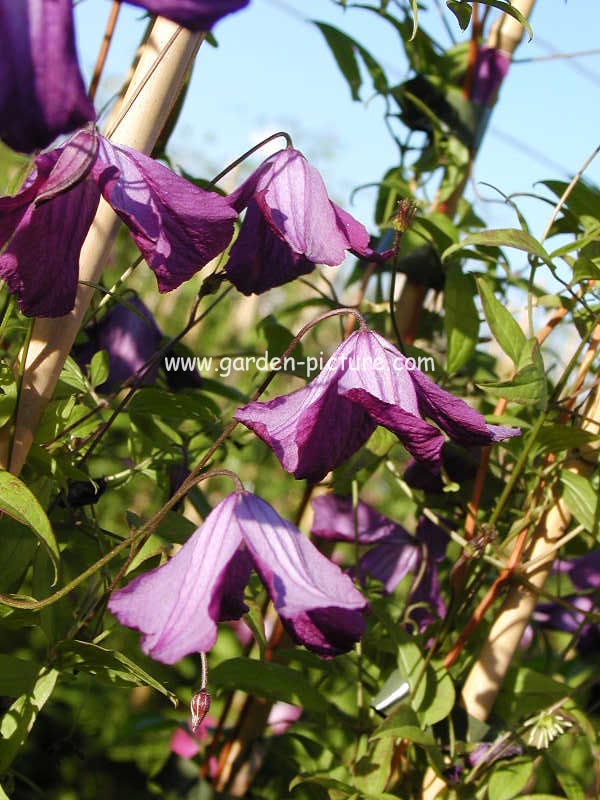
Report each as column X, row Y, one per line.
column 177, row 606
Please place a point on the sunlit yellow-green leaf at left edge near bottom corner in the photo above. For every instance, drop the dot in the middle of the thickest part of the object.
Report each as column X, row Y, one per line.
column 18, row 721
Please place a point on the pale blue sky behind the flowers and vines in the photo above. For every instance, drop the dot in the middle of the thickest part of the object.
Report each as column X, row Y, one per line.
column 273, row 70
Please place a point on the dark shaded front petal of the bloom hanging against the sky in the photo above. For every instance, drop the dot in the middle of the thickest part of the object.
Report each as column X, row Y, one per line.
column 259, row 259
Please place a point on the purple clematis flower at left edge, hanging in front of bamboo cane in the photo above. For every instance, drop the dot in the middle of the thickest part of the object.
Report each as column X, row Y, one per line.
column 177, row 226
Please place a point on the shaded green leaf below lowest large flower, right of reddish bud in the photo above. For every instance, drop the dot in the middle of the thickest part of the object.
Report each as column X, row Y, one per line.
column 264, row 679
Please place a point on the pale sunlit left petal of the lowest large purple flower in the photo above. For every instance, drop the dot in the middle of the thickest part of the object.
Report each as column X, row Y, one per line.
column 175, row 606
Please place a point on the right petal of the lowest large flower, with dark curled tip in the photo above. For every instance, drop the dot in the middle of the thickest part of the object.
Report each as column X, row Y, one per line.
column 318, row 604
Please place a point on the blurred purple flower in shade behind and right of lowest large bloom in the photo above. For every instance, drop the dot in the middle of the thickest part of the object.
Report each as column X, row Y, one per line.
column 395, row 553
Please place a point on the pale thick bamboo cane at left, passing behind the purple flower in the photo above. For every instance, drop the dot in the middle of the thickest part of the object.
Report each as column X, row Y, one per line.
column 163, row 66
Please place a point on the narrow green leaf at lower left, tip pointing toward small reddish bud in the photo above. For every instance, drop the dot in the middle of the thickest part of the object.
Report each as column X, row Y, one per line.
column 108, row 665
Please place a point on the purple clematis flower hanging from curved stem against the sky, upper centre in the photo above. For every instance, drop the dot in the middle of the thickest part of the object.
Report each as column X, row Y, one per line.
column 290, row 226
